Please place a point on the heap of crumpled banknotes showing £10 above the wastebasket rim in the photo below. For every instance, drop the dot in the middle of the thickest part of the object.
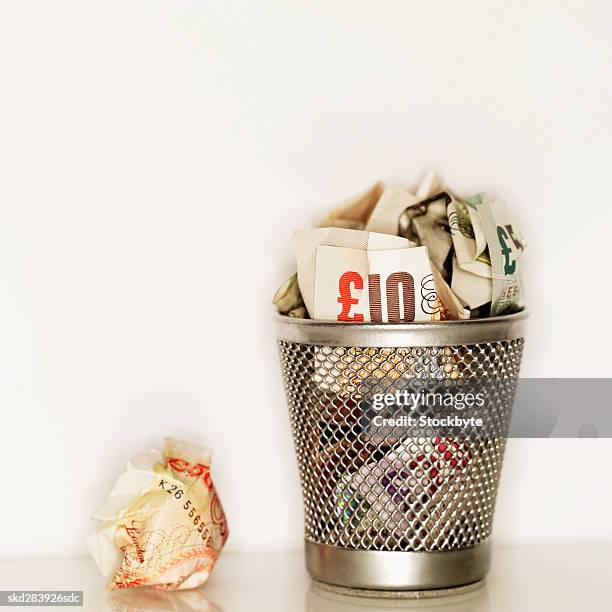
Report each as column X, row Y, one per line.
column 390, row 256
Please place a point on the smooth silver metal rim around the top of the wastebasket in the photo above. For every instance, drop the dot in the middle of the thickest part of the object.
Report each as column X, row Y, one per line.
column 418, row 333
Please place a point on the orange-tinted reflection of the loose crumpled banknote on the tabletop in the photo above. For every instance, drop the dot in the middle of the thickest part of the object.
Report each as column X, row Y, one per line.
column 150, row 600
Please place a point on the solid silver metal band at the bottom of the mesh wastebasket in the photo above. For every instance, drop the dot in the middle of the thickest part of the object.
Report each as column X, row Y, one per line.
column 376, row 570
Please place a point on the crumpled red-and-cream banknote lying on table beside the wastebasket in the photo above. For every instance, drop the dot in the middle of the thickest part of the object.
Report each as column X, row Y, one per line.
column 163, row 524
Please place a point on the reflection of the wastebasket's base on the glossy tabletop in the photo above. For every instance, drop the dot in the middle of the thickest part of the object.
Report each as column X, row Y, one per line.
column 319, row 599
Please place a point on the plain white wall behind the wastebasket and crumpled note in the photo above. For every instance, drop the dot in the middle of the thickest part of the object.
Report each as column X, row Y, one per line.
column 154, row 156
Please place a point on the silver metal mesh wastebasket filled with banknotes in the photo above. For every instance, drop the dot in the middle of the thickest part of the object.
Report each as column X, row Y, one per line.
column 409, row 511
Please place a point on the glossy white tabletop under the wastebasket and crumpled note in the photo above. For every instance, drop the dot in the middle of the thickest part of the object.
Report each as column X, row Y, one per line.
column 576, row 577
